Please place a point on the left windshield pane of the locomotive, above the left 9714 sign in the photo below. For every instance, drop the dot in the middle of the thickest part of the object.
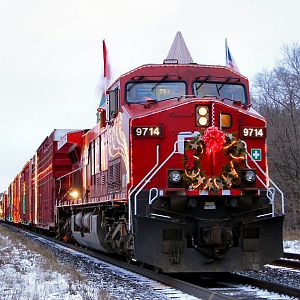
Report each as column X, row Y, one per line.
column 139, row 92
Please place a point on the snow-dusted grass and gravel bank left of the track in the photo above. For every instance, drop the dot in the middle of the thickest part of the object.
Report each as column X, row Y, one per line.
column 32, row 270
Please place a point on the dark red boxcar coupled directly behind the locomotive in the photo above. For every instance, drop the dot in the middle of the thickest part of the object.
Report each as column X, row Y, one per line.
column 51, row 161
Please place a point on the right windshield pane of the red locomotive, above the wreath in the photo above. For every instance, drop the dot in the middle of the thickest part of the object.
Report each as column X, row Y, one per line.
column 220, row 90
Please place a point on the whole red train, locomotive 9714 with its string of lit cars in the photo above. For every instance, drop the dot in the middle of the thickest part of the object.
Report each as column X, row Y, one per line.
column 174, row 174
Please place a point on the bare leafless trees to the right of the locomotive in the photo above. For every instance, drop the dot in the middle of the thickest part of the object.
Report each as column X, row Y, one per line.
column 276, row 95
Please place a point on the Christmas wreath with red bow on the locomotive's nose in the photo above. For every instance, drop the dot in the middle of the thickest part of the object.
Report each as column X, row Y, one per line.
column 209, row 142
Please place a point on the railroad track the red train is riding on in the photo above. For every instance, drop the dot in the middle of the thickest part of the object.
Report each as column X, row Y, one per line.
column 234, row 286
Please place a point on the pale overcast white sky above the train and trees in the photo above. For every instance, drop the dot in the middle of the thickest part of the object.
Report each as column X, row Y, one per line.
column 51, row 54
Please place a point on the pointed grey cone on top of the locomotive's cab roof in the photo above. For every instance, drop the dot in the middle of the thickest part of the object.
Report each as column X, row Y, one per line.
column 179, row 53
